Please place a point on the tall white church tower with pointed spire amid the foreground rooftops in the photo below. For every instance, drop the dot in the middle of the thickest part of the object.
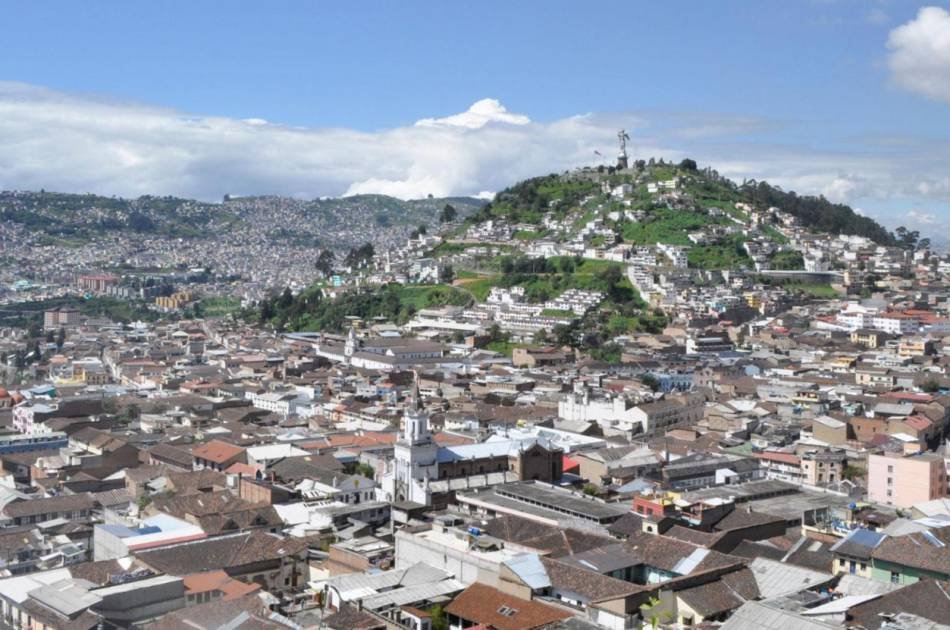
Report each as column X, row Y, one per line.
column 415, row 457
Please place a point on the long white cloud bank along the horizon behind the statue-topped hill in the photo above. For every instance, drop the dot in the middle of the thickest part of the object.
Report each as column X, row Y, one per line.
column 72, row 143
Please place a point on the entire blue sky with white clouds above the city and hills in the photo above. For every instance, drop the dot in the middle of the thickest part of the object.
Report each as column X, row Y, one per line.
column 849, row 99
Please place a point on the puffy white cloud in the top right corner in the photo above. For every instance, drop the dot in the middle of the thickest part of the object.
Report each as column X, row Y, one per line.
column 919, row 57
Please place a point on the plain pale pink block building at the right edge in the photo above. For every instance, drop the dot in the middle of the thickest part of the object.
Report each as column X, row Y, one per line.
column 902, row 481
